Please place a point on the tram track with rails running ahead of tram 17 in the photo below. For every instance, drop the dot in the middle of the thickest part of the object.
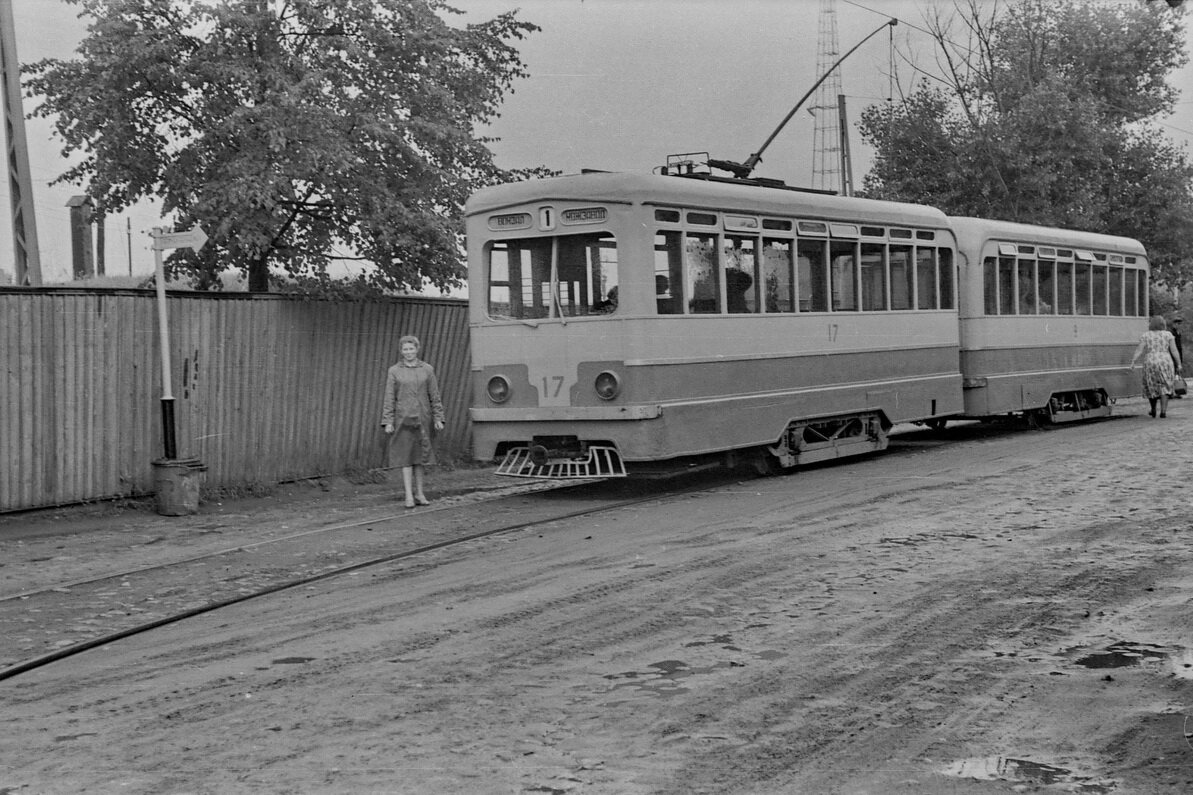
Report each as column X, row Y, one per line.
column 58, row 623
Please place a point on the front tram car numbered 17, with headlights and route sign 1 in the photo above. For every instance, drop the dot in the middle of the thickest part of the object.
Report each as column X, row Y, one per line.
column 648, row 321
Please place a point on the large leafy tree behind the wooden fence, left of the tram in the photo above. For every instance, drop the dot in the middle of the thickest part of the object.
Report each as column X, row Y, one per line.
column 295, row 132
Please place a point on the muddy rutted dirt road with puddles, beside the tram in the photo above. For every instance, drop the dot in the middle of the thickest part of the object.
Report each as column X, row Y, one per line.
column 1004, row 613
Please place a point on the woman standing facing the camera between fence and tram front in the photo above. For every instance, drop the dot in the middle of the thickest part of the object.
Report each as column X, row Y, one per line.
column 413, row 409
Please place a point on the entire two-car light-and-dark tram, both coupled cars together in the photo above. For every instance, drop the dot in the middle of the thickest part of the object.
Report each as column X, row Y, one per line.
column 625, row 324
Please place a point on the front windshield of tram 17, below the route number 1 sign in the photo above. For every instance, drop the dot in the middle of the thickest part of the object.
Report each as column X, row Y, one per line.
column 566, row 276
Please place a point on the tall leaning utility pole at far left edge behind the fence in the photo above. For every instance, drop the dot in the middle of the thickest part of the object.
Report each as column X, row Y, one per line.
column 21, row 187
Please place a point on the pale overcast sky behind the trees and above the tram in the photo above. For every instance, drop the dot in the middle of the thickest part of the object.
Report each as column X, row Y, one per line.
column 615, row 85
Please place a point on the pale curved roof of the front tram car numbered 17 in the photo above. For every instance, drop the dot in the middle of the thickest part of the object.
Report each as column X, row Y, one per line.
column 684, row 192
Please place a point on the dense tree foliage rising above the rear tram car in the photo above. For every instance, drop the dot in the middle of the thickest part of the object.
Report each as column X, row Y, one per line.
column 1044, row 112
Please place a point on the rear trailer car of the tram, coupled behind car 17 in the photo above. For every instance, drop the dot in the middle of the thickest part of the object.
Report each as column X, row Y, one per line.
column 1049, row 319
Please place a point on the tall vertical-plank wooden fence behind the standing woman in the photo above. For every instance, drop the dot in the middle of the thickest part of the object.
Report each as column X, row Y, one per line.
column 268, row 389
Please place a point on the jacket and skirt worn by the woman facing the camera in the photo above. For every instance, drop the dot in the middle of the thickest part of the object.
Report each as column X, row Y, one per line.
column 412, row 406
